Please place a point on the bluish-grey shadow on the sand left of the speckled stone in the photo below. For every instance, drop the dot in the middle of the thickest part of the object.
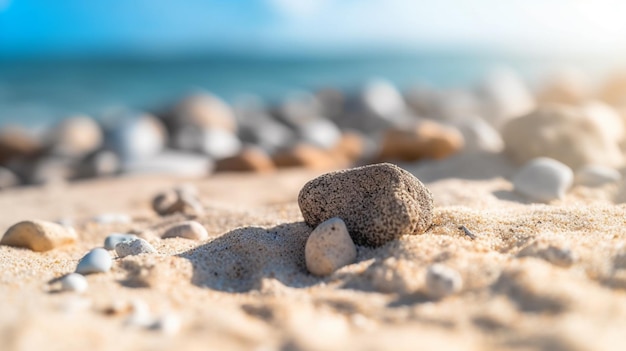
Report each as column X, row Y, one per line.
column 239, row 260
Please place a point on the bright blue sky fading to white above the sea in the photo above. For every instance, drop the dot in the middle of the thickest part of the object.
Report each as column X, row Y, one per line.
column 84, row 27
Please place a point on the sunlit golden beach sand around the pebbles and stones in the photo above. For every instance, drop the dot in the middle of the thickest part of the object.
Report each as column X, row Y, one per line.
column 247, row 287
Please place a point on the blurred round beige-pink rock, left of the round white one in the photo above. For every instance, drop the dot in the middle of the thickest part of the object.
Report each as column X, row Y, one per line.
column 76, row 137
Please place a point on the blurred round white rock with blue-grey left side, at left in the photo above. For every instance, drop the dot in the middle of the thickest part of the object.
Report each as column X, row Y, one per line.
column 136, row 136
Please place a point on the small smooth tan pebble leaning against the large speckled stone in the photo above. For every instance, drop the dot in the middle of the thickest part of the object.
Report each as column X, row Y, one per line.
column 329, row 247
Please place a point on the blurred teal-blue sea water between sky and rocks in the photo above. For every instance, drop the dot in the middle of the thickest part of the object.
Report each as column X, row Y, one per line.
column 38, row 93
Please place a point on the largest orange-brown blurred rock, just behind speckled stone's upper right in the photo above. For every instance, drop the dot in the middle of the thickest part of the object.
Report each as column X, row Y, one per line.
column 425, row 140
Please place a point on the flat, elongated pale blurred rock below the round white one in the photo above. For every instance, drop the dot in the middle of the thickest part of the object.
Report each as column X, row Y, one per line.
column 172, row 163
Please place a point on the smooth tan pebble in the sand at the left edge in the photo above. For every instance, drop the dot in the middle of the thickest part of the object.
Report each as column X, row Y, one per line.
column 38, row 235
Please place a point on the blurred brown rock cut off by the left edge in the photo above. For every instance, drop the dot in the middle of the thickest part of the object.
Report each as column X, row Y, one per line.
column 16, row 142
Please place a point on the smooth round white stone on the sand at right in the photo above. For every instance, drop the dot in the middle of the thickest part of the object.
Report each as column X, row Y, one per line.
column 543, row 179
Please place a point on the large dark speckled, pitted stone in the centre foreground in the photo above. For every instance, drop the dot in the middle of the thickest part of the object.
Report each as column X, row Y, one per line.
column 378, row 202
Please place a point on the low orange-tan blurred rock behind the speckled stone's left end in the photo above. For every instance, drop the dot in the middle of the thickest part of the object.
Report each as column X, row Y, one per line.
column 308, row 156
